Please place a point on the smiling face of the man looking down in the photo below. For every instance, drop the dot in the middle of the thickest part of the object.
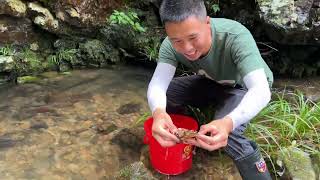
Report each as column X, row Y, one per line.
column 191, row 37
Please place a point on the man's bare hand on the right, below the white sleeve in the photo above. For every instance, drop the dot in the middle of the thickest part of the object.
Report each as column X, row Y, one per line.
column 213, row 135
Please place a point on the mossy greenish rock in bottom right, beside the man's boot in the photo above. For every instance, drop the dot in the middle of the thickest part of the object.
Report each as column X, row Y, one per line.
column 297, row 163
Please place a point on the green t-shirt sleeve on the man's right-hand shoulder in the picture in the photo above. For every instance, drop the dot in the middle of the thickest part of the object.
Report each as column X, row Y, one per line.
column 245, row 53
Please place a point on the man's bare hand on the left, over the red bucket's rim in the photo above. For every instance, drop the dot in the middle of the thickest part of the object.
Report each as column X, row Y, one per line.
column 163, row 128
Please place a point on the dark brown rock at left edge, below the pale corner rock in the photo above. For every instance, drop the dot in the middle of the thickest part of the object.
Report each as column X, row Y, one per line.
column 16, row 30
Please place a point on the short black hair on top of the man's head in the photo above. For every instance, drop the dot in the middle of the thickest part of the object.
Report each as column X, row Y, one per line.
column 180, row 10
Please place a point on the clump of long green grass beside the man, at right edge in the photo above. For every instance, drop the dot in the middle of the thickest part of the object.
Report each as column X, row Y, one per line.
column 284, row 122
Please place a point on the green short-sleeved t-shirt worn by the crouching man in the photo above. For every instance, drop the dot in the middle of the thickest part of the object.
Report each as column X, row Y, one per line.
column 232, row 55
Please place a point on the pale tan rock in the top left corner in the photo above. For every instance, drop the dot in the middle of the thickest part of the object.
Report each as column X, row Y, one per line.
column 13, row 8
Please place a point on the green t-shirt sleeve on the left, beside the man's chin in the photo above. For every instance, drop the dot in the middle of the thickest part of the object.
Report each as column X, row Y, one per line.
column 167, row 53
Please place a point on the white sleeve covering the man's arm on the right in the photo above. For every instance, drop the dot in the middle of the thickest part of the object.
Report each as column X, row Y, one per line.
column 254, row 100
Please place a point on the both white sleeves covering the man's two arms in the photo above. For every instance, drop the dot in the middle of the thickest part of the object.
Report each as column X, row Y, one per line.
column 252, row 103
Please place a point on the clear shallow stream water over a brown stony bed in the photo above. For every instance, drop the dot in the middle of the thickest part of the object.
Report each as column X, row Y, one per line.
column 82, row 126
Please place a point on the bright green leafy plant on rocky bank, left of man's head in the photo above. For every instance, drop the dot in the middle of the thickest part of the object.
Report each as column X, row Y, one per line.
column 127, row 18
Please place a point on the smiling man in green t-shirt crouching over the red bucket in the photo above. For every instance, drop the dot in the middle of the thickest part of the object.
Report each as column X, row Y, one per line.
column 234, row 78
